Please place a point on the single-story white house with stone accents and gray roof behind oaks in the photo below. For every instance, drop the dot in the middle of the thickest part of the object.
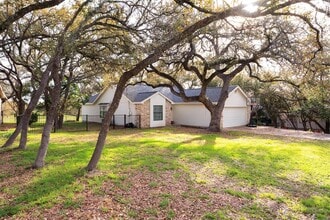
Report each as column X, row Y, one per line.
column 146, row 107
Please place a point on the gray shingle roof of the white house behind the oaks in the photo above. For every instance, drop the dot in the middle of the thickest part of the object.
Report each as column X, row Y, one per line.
column 141, row 92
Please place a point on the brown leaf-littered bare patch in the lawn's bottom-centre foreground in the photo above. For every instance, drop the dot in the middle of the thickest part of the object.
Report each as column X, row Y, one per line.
column 144, row 195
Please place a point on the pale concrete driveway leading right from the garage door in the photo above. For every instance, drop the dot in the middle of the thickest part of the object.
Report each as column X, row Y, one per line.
column 282, row 132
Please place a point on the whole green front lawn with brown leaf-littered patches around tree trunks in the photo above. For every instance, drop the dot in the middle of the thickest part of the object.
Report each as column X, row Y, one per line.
column 168, row 173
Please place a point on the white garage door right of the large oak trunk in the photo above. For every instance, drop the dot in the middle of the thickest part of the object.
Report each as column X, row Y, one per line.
column 233, row 117
